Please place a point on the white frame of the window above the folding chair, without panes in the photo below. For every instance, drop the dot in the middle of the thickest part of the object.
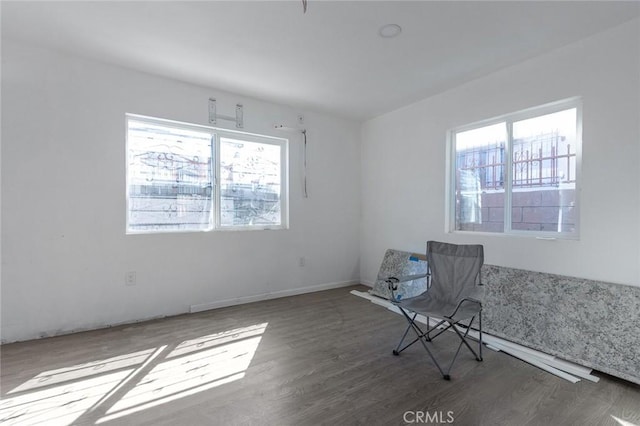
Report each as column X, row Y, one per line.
column 509, row 120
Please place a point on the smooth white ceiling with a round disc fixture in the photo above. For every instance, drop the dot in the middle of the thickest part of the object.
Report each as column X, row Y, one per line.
column 330, row 59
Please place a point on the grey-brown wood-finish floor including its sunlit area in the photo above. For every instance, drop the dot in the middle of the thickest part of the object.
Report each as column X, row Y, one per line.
column 323, row 358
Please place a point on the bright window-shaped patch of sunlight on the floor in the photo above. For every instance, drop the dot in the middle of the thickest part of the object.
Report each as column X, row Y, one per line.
column 125, row 384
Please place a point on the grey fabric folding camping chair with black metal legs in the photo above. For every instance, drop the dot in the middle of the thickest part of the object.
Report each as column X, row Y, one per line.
column 454, row 294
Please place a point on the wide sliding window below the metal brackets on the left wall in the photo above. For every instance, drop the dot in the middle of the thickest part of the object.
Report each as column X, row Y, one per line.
column 183, row 177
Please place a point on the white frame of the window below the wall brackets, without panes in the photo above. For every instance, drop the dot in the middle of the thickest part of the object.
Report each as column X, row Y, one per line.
column 216, row 134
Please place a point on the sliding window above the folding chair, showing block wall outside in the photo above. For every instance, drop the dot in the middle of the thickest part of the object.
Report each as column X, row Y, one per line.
column 518, row 173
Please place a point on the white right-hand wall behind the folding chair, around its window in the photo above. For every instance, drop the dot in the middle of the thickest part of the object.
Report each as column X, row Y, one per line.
column 403, row 162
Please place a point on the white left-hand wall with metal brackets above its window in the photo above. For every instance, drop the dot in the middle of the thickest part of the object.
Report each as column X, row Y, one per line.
column 64, row 248
